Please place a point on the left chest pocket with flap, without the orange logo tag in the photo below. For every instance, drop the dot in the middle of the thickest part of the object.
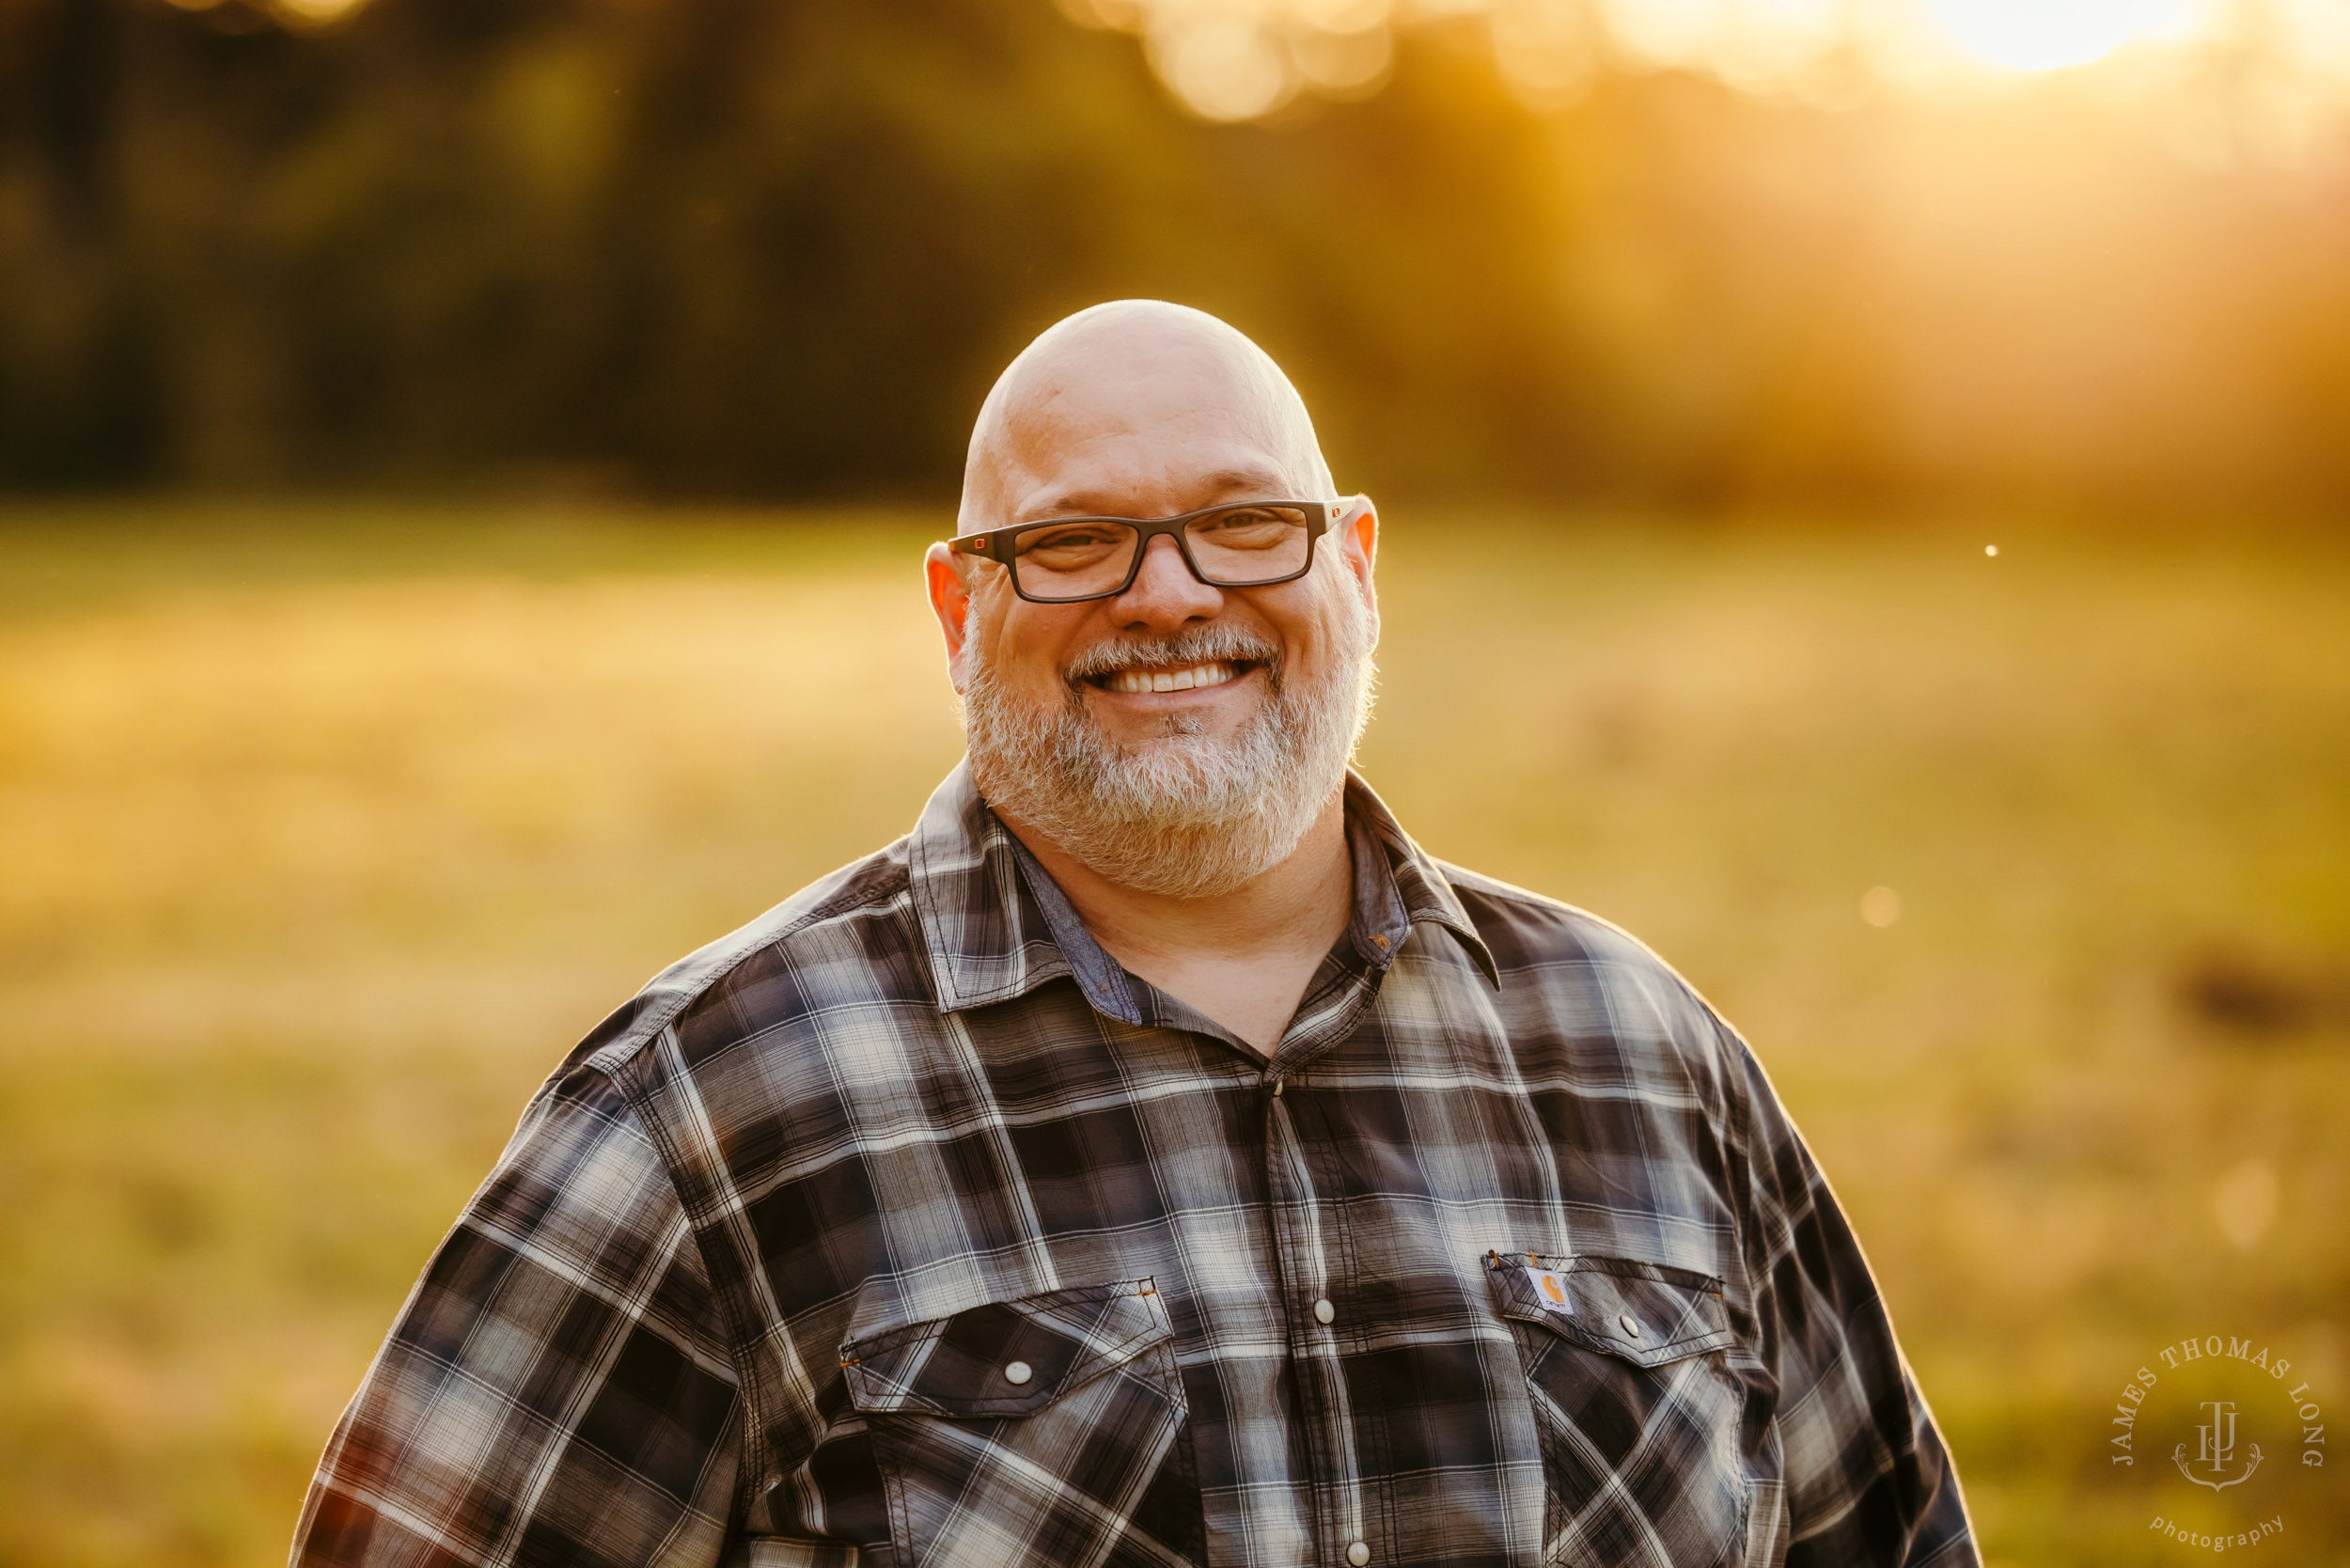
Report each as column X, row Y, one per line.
column 1040, row 1430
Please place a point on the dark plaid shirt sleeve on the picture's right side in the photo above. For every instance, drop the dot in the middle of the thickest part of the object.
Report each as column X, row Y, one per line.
column 1867, row 1473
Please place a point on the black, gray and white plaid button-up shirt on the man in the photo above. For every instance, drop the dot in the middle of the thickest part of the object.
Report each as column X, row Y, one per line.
column 906, row 1228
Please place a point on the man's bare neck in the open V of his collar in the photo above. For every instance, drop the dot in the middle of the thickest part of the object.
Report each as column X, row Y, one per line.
column 1242, row 958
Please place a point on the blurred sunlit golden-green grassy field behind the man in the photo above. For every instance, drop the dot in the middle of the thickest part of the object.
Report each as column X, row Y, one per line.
column 325, row 831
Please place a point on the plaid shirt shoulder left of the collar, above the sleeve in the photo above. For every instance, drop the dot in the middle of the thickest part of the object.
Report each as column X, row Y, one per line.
column 831, row 944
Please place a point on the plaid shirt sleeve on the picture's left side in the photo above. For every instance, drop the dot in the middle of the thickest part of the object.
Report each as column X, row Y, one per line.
column 556, row 1388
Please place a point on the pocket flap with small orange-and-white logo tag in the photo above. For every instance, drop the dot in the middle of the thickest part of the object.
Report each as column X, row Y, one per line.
column 1644, row 1313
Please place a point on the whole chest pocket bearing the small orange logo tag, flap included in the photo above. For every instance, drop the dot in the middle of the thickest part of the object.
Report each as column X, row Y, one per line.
column 1634, row 1407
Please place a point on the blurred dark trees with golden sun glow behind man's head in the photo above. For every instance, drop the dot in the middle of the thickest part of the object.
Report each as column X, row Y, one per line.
column 777, row 248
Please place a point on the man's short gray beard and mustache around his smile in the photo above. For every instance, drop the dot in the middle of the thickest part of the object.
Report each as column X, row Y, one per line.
column 1181, row 815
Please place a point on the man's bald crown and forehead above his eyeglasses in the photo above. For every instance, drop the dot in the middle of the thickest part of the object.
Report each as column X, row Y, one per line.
column 1136, row 408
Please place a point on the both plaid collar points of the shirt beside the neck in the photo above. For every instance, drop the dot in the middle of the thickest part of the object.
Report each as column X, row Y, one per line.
column 998, row 925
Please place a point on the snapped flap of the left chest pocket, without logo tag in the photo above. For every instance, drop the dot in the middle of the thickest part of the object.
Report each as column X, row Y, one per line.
column 1005, row 1358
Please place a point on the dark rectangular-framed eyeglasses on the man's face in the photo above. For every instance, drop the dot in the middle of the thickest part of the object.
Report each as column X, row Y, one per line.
column 1242, row 544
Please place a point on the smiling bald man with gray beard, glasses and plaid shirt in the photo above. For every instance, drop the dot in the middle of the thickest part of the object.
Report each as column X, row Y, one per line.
column 1155, row 1158
